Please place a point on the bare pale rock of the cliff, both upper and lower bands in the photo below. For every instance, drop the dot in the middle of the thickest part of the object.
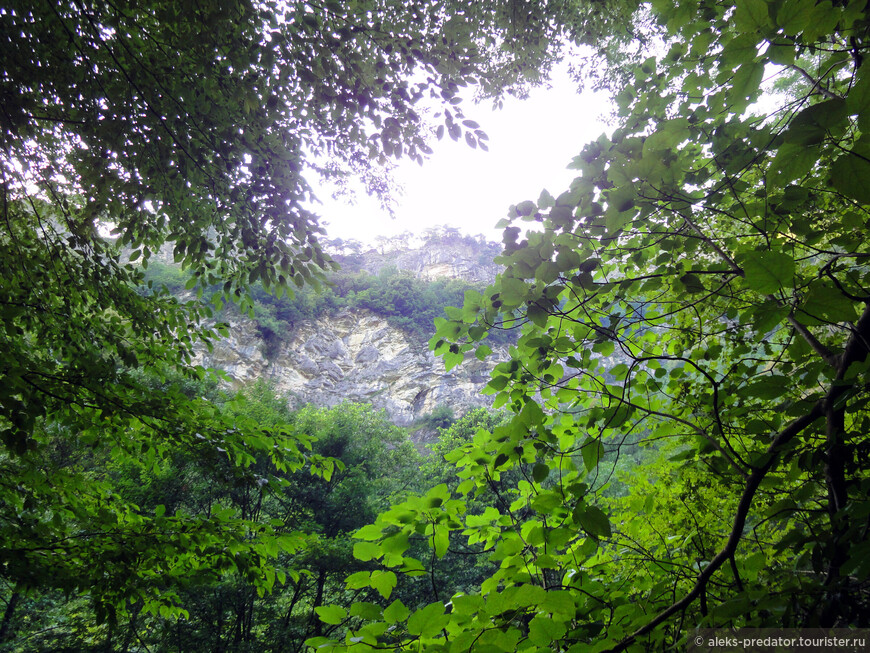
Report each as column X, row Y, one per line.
column 359, row 356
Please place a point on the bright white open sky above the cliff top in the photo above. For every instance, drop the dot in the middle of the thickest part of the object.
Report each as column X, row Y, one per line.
column 530, row 144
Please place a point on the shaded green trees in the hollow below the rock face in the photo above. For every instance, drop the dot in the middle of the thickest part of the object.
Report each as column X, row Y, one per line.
column 226, row 609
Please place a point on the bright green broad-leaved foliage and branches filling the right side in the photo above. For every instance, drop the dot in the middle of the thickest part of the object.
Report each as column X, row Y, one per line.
column 702, row 290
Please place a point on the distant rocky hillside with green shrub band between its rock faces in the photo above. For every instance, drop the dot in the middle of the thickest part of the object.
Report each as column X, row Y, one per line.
column 363, row 338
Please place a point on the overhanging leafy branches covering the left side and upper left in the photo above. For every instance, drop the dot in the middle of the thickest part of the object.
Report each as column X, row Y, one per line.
column 199, row 125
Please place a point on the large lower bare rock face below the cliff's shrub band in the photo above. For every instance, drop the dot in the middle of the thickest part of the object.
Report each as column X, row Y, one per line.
column 353, row 356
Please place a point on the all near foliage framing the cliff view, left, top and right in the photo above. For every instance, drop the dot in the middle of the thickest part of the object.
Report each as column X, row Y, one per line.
column 697, row 301
